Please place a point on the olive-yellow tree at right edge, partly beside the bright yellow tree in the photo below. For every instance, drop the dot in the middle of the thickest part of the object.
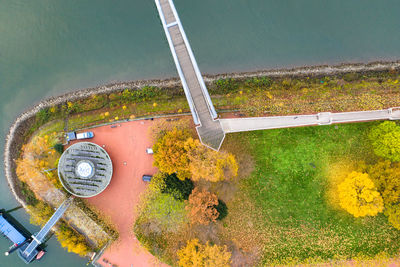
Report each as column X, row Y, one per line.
column 386, row 177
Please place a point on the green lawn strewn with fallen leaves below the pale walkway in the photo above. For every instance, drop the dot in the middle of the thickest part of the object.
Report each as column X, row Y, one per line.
column 282, row 210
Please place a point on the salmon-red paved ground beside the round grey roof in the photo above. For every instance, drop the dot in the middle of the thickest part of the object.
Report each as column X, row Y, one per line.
column 126, row 144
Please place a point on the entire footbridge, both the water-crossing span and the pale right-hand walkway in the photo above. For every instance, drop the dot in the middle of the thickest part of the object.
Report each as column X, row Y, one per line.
column 212, row 130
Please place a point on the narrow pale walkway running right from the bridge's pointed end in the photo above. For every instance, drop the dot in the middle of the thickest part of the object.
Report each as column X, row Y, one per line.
column 325, row 118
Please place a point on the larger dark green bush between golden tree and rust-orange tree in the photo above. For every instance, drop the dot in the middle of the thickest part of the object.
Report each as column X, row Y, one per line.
column 177, row 188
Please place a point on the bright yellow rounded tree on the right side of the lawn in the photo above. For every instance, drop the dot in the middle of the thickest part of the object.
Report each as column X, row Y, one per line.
column 358, row 195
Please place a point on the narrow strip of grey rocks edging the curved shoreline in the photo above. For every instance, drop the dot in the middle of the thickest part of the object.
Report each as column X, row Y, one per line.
column 23, row 122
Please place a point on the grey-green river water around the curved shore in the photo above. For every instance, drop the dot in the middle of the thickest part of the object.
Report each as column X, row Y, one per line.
column 52, row 46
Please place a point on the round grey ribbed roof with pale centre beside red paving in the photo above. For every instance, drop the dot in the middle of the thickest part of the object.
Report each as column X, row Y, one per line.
column 85, row 169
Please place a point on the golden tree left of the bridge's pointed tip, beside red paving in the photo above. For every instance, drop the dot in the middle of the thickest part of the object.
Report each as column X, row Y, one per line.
column 170, row 153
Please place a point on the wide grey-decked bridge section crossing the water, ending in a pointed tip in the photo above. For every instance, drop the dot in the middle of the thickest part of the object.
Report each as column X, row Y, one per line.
column 203, row 112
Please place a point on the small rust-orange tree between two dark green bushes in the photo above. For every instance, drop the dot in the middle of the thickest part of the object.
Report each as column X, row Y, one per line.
column 202, row 207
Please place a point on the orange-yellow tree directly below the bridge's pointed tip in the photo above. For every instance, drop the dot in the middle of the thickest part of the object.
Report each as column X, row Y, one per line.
column 208, row 164
